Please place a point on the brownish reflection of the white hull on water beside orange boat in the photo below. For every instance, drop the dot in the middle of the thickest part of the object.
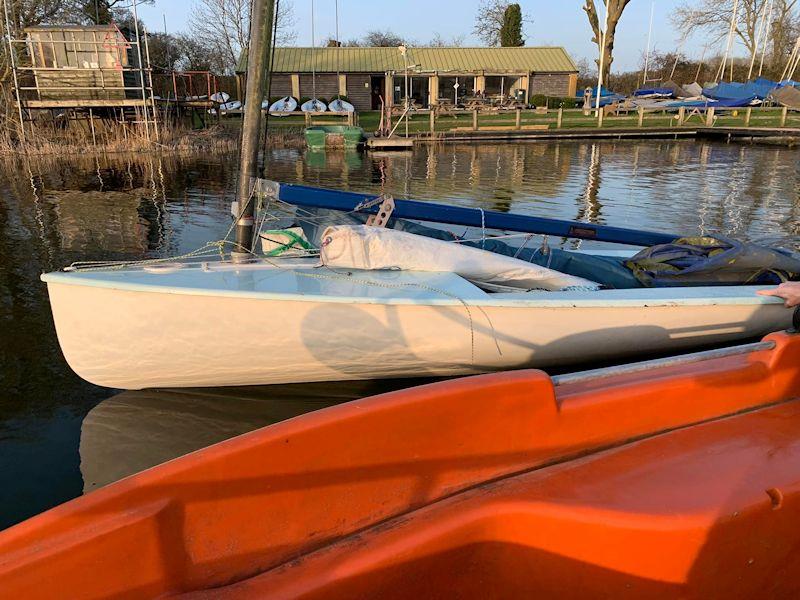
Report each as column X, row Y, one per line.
column 136, row 430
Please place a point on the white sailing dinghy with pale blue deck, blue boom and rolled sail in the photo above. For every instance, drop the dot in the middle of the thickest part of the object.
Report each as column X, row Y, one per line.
column 382, row 305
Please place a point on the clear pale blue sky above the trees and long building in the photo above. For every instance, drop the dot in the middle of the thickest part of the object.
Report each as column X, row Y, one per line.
column 561, row 23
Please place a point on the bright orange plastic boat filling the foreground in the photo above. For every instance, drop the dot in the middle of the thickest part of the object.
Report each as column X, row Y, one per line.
column 674, row 482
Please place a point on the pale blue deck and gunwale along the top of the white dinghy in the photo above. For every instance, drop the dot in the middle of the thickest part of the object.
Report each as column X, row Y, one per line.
column 303, row 280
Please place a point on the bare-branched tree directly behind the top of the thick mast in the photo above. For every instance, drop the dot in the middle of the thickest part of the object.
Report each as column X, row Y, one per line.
column 223, row 26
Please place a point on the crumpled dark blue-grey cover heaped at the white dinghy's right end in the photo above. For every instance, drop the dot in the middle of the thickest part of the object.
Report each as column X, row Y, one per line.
column 713, row 261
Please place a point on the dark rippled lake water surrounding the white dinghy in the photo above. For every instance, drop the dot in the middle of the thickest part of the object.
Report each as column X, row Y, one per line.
column 60, row 435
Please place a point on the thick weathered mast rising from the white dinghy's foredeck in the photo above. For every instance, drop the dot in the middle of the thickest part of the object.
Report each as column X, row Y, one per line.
column 261, row 19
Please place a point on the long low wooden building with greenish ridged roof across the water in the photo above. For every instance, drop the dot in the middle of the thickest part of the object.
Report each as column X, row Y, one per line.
column 433, row 75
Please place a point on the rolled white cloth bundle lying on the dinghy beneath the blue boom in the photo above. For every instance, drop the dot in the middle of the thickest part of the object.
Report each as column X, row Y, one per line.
column 373, row 248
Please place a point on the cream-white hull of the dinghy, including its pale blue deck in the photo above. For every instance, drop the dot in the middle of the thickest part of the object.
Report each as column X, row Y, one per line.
column 236, row 331
